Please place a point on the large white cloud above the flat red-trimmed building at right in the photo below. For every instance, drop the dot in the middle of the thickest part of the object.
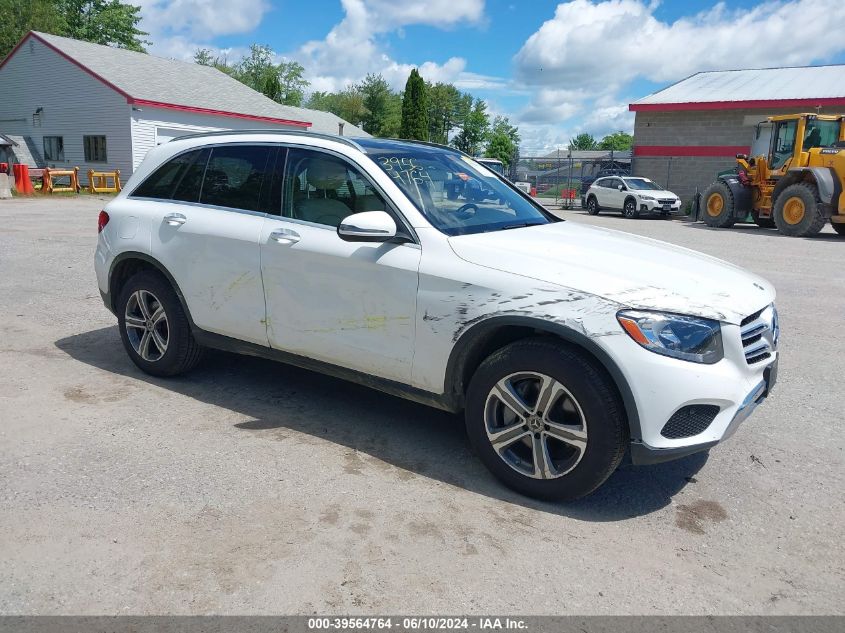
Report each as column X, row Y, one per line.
column 579, row 63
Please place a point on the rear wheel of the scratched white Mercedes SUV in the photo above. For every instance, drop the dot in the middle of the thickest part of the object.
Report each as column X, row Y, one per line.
column 141, row 299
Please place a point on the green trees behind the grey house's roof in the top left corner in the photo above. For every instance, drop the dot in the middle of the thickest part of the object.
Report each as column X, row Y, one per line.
column 112, row 23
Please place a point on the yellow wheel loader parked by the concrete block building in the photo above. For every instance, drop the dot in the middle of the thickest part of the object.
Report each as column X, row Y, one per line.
column 797, row 187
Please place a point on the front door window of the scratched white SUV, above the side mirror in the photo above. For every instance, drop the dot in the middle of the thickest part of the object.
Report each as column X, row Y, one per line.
column 324, row 189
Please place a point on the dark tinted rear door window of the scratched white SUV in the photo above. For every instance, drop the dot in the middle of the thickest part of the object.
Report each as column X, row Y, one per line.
column 235, row 175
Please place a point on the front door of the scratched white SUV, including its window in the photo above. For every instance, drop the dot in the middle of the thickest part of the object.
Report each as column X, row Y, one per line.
column 351, row 304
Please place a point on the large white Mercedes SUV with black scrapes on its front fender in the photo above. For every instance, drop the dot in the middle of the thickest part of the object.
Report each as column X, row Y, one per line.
column 564, row 344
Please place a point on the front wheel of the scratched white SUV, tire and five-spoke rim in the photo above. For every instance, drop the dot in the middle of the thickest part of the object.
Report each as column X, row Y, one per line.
column 588, row 403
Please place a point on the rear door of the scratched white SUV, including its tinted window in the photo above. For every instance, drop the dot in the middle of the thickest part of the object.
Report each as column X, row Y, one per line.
column 207, row 236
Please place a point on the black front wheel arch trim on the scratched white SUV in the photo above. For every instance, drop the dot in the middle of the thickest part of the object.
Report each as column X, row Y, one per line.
column 481, row 340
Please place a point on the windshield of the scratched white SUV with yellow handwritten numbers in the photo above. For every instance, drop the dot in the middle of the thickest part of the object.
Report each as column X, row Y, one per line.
column 455, row 193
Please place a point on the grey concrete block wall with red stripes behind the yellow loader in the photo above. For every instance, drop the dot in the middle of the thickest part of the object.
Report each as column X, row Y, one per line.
column 682, row 174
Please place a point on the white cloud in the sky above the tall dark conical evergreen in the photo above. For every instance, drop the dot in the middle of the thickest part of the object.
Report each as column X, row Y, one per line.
column 353, row 48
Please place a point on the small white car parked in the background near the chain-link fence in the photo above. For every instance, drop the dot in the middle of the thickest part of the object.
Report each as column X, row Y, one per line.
column 632, row 195
